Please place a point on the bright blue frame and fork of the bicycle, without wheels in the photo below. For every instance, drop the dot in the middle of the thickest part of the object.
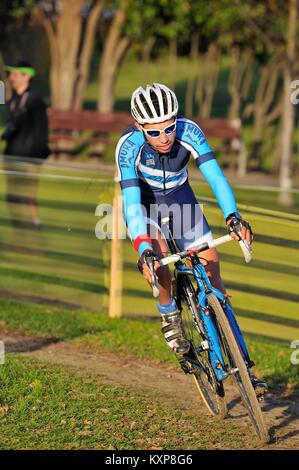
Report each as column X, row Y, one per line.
column 205, row 289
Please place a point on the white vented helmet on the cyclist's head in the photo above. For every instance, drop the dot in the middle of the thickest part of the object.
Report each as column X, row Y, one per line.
column 153, row 104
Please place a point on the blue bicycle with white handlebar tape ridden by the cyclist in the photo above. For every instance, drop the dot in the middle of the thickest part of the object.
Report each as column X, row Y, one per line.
column 217, row 349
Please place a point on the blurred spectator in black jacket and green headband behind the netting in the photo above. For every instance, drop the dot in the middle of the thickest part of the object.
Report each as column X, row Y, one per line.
column 26, row 136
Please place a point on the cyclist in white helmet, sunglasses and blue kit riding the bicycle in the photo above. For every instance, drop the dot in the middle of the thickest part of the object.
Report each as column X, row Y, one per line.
column 152, row 157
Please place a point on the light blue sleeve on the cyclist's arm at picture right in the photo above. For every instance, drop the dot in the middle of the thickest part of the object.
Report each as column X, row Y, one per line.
column 194, row 140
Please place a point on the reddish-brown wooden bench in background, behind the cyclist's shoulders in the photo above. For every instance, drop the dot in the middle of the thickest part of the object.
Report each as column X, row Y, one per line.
column 70, row 129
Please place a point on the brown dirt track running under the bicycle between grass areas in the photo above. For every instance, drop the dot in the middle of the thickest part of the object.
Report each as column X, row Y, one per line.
column 281, row 412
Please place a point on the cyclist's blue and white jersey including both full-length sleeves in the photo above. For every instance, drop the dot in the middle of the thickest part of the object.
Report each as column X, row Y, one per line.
column 143, row 170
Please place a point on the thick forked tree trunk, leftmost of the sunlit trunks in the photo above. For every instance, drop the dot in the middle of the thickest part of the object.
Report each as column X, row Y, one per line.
column 71, row 47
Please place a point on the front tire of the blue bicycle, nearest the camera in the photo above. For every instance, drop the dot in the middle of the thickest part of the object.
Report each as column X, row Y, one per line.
column 241, row 375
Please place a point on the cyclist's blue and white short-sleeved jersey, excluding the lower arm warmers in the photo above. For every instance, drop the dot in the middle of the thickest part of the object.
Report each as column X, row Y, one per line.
column 140, row 165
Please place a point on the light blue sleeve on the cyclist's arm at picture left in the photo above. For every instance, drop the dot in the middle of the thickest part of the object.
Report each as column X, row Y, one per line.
column 127, row 155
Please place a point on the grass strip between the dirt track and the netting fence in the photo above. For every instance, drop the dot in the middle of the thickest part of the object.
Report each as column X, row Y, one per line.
column 134, row 336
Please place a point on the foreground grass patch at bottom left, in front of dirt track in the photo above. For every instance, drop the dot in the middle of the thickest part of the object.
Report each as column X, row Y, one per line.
column 47, row 407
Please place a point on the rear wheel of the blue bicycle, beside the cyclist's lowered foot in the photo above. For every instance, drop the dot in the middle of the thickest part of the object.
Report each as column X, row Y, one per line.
column 210, row 389
